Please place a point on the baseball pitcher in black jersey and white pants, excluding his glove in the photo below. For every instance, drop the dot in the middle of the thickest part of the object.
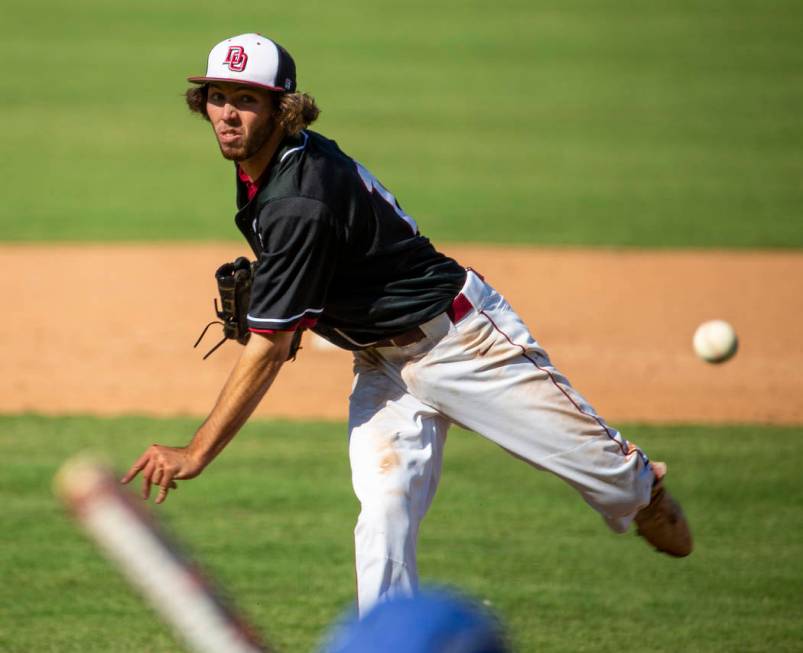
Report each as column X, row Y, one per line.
column 434, row 344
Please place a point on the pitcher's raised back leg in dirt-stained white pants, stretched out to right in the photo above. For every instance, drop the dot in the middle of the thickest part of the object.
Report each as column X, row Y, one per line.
column 491, row 376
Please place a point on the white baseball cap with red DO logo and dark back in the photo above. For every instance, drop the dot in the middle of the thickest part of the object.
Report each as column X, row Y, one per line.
column 250, row 59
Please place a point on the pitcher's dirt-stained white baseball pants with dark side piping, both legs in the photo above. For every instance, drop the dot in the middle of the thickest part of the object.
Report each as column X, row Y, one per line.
column 485, row 373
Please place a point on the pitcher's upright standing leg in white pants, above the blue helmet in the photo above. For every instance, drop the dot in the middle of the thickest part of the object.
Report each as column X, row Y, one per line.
column 395, row 447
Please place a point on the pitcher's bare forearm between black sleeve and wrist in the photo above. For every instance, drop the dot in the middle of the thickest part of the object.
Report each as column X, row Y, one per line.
column 247, row 384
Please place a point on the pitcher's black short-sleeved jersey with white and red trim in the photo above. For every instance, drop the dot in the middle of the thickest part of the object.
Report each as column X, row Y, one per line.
column 336, row 253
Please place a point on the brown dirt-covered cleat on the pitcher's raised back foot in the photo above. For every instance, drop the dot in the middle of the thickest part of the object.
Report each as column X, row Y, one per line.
column 662, row 523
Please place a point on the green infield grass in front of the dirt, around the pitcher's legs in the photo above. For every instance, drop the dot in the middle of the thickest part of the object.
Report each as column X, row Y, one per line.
column 272, row 518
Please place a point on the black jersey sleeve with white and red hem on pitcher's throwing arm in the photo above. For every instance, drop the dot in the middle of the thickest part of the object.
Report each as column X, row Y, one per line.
column 299, row 248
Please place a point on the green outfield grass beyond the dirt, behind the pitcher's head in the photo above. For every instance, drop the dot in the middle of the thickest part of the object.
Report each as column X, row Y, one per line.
column 577, row 122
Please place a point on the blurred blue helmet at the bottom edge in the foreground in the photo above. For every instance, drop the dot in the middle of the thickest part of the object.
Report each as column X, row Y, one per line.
column 430, row 622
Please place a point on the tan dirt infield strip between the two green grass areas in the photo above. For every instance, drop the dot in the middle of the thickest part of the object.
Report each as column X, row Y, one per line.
column 108, row 329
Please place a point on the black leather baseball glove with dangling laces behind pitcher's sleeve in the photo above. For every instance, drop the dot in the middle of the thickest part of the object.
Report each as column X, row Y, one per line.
column 234, row 282
